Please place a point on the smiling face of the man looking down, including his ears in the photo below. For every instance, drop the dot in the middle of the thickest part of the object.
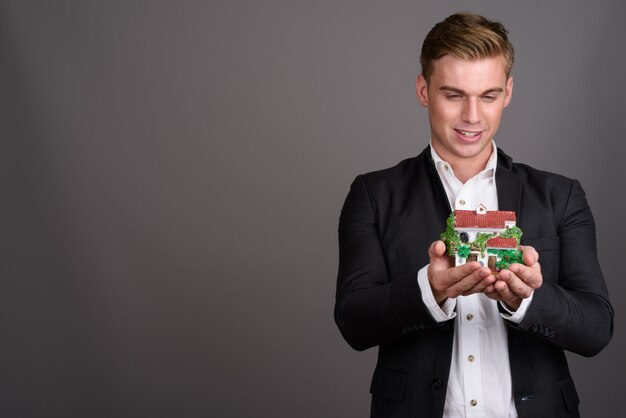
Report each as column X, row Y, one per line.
column 465, row 101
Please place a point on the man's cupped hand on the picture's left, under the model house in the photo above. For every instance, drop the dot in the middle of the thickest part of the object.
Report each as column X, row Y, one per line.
column 448, row 281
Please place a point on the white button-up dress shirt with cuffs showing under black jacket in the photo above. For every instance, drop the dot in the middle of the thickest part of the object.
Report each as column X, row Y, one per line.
column 479, row 384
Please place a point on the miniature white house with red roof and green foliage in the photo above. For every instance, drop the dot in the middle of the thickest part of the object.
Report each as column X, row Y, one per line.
column 489, row 237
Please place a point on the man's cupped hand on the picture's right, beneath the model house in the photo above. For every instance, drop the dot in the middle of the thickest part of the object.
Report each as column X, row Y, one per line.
column 518, row 281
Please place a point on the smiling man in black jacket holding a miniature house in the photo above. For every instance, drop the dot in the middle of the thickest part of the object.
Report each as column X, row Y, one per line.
column 458, row 341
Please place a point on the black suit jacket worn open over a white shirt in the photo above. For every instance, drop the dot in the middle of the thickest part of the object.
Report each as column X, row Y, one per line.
column 389, row 219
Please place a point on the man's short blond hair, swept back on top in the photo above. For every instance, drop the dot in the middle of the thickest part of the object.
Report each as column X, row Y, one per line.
column 467, row 36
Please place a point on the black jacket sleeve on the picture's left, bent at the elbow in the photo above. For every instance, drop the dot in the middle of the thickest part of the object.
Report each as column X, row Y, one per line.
column 371, row 308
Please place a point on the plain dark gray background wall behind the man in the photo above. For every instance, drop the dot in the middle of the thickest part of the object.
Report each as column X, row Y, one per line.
column 172, row 174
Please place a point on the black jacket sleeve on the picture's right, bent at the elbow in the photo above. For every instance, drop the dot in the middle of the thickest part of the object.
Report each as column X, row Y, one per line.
column 571, row 309
